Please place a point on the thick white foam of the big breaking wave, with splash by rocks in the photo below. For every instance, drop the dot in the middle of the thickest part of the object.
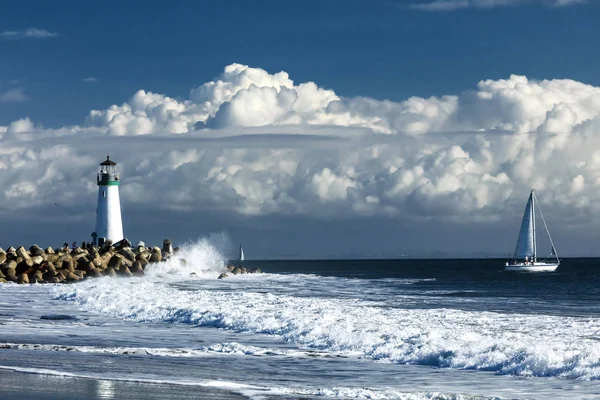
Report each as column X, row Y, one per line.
column 524, row 345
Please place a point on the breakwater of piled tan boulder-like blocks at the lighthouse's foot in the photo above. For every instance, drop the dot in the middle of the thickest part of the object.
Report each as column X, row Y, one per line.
column 36, row 265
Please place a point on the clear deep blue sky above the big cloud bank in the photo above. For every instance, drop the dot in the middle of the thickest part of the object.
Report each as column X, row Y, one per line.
column 381, row 48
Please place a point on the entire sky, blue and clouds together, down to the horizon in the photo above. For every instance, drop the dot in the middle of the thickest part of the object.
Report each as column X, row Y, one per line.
column 304, row 129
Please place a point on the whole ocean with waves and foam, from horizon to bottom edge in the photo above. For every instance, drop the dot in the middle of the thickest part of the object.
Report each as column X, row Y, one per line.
column 339, row 329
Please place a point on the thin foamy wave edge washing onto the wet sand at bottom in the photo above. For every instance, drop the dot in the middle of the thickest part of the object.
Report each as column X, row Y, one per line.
column 262, row 392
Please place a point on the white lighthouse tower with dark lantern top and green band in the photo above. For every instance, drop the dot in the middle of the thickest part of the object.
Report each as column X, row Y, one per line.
column 108, row 214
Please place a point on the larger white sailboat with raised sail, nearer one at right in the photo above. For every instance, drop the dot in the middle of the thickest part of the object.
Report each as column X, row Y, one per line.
column 525, row 256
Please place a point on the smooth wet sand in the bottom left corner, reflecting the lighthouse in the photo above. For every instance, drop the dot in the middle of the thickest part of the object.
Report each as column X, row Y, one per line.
column 21, row 386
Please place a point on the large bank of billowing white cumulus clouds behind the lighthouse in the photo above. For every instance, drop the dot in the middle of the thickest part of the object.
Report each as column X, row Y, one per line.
column 254, row 143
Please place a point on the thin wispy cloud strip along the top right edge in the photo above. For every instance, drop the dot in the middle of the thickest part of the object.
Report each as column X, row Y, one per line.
column 451, row 5
